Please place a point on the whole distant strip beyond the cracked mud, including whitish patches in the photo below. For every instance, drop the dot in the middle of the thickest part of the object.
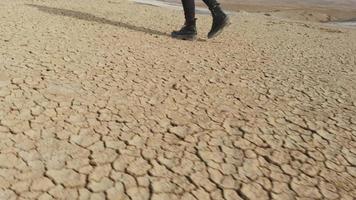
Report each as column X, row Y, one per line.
column 294, row 10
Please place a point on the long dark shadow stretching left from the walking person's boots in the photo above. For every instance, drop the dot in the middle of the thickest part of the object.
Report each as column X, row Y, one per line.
column 93, row 18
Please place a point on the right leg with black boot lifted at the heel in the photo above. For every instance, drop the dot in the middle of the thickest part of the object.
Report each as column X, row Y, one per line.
column 220, row 19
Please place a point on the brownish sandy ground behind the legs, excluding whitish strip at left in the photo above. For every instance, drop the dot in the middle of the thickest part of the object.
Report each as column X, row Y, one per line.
column 307, row 10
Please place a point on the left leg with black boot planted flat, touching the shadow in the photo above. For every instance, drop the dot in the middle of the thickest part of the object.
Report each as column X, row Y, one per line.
column 188, row 31
